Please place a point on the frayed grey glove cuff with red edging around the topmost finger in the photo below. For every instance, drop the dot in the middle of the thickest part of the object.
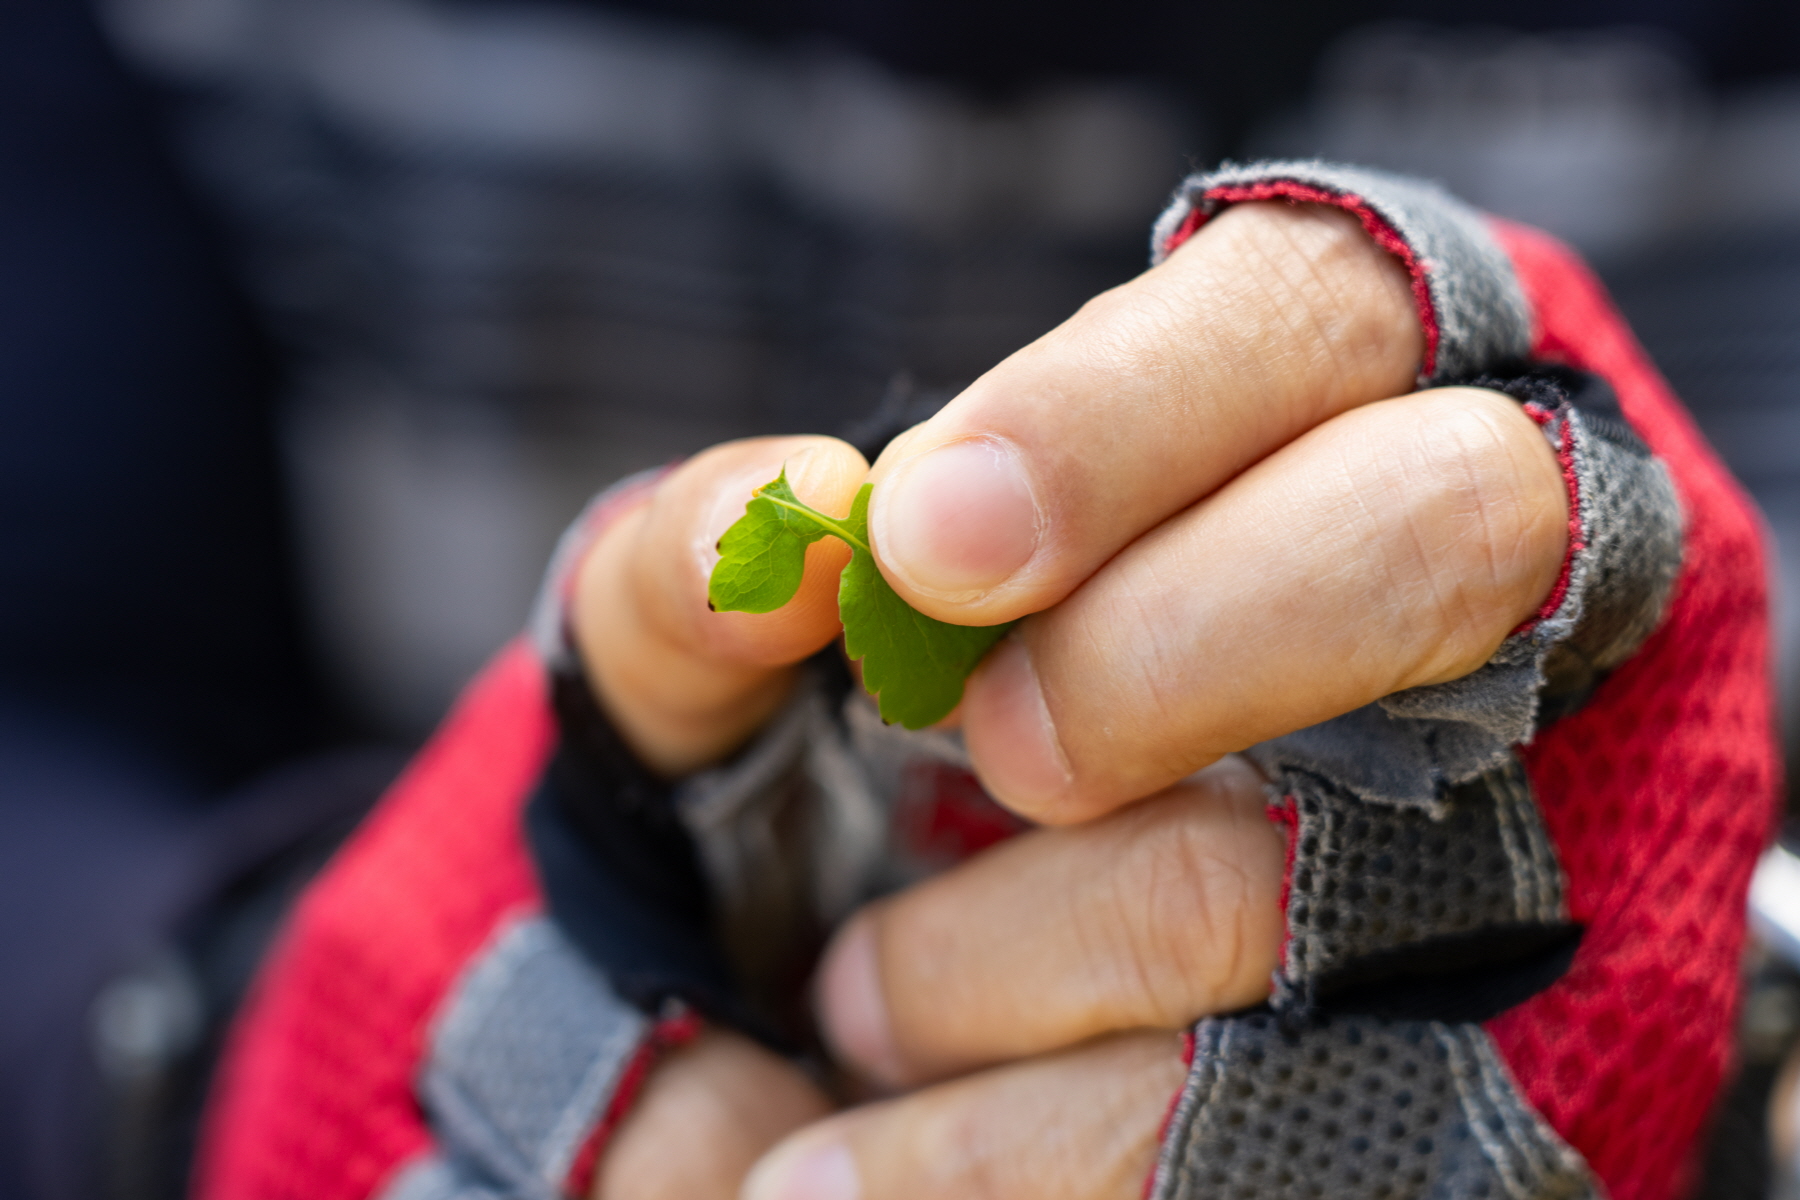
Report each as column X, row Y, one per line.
column 1470, row 301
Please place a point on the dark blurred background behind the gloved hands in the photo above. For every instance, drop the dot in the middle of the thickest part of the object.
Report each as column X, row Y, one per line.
column 321, row 318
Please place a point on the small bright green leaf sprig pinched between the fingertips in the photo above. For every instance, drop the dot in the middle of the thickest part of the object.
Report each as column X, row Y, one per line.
column 913, row 665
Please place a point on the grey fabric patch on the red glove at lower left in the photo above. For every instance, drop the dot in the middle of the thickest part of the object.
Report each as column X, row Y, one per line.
column 525, row 1061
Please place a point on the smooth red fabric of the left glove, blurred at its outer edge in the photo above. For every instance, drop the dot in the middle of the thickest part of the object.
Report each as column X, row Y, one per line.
column 316, row 1097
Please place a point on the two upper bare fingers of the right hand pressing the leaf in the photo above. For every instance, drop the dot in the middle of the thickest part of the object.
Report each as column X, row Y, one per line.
column 1221, row 514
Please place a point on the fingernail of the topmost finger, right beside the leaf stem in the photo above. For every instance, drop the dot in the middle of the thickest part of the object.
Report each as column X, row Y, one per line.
column 957, row 521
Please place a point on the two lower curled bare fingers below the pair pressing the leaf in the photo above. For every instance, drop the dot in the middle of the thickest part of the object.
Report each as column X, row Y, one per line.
column 1032, row 999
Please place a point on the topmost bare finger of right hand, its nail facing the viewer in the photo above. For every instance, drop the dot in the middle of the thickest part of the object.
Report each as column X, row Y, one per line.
column 1270, row 321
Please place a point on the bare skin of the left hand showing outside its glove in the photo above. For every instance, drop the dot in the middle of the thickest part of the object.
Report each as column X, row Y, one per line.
column 685, row 686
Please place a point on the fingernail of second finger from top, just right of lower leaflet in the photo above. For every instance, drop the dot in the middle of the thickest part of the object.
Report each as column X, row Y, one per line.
column 1012, row 737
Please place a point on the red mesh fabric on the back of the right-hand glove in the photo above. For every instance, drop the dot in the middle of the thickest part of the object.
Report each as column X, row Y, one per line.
column 1659, row 796
